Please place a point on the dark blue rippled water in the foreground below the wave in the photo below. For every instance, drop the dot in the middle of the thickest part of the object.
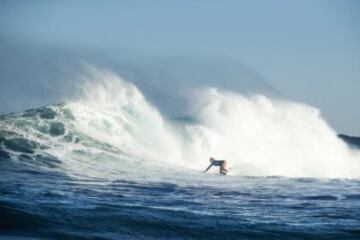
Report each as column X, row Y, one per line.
column 49, row 204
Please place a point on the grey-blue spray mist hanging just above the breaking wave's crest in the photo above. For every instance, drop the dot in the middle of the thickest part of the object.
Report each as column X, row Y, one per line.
column 34, row 74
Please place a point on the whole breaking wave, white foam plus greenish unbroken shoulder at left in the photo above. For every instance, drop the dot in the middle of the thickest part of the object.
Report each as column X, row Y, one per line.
column 112, row 128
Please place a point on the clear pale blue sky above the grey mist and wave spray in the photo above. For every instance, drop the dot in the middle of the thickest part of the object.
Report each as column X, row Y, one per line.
column 308, row 50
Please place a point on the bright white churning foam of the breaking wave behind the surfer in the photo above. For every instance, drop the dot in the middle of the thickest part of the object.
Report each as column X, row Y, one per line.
column 258, row 136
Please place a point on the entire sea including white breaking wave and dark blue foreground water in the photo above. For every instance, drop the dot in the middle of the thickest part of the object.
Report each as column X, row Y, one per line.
column 108, row 165
